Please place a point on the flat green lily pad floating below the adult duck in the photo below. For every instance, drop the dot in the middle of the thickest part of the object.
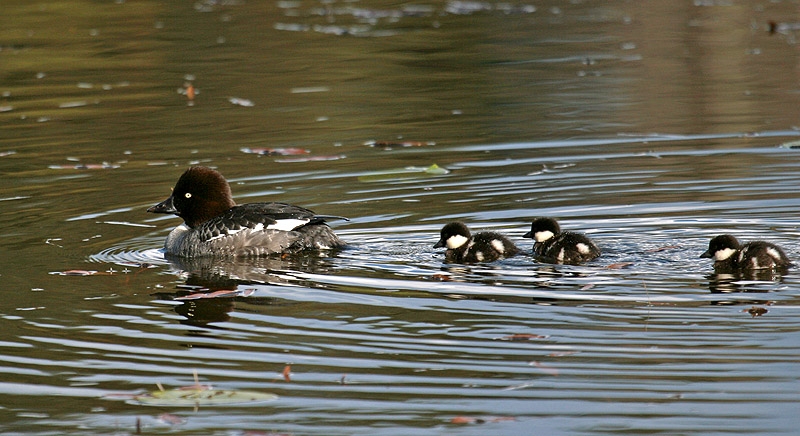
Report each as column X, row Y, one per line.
column 203, row 397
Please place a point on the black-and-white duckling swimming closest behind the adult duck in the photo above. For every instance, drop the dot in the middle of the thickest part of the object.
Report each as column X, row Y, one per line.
column 463, row 247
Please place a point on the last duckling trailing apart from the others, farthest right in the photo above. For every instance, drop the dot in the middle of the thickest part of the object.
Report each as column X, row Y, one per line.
column 728, row 255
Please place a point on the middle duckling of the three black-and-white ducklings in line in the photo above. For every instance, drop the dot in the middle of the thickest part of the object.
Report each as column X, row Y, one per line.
column 554, row 246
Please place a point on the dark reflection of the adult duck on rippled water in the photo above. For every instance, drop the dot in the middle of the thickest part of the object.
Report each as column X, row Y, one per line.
column 213, row 285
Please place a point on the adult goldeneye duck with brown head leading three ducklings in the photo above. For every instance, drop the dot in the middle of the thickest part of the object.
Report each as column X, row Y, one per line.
column 215, row 226
